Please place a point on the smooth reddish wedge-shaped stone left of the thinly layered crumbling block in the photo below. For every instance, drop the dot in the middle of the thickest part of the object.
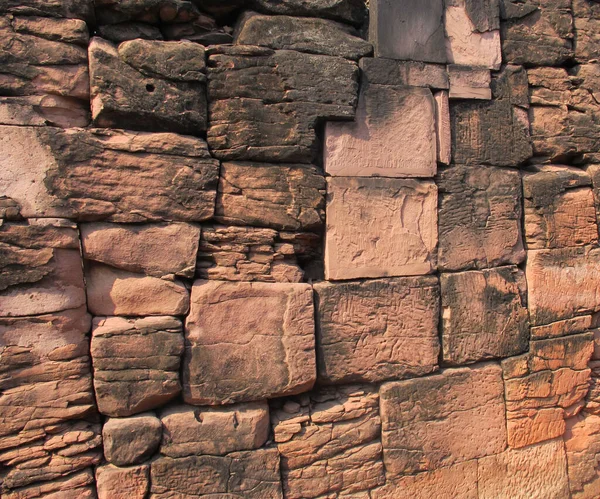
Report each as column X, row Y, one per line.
column 157, row 250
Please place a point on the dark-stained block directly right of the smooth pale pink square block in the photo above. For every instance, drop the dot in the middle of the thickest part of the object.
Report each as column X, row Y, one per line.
column 479, row 217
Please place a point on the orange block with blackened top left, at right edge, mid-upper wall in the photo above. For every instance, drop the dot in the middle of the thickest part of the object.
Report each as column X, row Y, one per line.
column 559, row 208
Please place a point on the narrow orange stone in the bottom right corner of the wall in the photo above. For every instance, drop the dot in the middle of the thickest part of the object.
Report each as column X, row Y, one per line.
column 582, row 444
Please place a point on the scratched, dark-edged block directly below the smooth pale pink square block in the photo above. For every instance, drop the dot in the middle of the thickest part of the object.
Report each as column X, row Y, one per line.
column 376, row 330
